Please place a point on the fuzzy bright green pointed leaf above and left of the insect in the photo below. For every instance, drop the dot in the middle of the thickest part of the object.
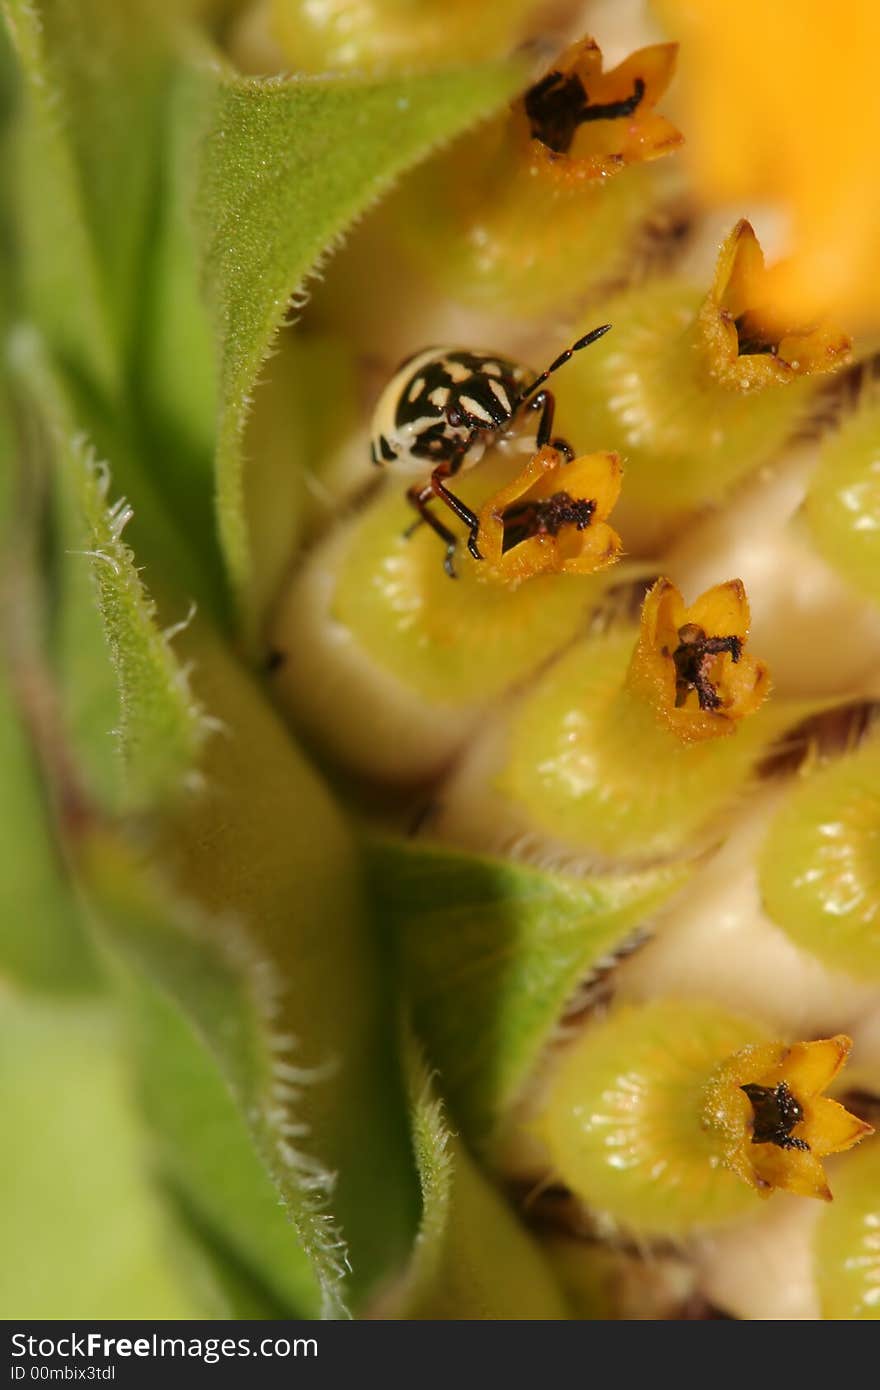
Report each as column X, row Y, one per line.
column 286, row 169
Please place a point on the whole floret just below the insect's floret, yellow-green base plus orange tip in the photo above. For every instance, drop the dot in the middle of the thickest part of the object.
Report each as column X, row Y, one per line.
column 610, row 757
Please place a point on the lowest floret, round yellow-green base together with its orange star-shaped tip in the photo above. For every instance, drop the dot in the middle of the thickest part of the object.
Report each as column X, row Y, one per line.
column 671, row 1118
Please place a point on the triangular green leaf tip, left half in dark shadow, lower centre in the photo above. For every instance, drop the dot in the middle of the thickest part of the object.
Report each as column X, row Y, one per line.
column 491, row 954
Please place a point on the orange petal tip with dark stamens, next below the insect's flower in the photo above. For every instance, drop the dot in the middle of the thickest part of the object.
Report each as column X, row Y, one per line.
column 690, row 664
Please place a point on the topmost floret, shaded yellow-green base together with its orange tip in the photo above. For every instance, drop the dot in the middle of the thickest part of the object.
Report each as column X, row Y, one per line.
column 543, row 204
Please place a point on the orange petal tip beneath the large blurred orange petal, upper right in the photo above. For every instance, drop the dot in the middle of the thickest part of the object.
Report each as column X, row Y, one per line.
column 749, row 344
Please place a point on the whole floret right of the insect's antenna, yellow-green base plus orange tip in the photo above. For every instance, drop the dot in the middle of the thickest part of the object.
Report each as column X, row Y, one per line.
column 694, row 394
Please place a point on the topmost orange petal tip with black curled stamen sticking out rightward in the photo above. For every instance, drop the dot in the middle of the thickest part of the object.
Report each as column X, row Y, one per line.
column 587, row 124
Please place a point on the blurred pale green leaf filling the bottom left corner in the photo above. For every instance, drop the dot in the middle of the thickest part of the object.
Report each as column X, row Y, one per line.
column 84, row 1234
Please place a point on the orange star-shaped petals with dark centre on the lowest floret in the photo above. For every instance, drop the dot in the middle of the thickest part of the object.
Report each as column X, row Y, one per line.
column 779, row 1127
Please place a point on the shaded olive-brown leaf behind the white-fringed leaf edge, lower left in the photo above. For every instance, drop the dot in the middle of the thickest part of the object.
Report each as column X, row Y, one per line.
column 266, row 846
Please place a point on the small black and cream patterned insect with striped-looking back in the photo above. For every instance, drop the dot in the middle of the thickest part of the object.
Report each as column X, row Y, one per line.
column 443, row 408
